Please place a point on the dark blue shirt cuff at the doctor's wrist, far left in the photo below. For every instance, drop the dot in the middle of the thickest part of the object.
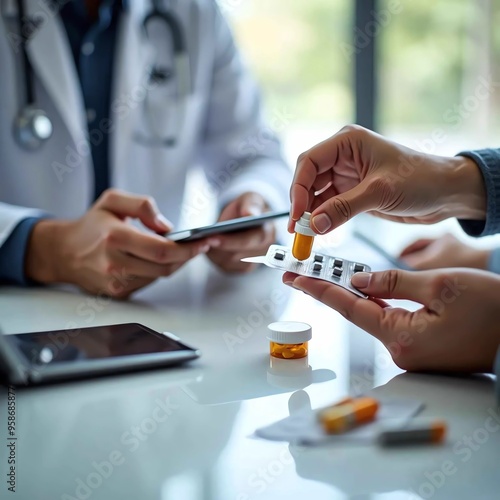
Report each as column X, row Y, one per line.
column 13, row 253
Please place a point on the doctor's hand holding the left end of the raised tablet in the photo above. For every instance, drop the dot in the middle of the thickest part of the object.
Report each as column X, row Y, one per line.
column 102, row 253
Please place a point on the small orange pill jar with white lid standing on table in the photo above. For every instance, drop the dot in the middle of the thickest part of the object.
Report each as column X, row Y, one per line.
column 289, row 339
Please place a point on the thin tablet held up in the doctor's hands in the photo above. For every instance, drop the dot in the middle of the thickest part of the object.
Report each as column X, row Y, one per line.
column 227, row 226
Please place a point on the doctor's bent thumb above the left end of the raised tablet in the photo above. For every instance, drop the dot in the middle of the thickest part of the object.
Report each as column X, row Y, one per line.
column 140, row 207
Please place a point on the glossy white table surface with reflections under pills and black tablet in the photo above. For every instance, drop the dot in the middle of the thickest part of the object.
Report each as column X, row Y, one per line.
column 205, row 448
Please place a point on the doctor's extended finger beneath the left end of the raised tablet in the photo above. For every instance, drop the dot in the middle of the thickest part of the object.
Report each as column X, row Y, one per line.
column 153, row 248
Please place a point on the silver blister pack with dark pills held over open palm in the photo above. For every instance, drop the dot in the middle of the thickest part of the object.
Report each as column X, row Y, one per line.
column 325, row 267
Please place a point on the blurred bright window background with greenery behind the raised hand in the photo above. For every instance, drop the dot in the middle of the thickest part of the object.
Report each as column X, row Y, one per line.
column 423, row 73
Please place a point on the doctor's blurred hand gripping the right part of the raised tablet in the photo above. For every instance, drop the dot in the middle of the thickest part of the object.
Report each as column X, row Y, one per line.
column 227, row 249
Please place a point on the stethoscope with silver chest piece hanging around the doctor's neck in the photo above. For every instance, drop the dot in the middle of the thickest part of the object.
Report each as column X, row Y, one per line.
column 33, row 127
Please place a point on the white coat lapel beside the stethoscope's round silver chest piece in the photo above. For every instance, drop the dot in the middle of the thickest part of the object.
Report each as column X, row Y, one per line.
column 52, row 61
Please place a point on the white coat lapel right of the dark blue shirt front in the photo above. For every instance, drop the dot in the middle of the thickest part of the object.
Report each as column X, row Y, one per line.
column 133, row 57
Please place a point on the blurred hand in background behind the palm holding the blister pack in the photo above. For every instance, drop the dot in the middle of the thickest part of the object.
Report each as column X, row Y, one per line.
column 446, row 251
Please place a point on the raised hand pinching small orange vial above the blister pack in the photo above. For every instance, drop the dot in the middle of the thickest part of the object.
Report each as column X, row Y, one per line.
column 358, row 171
